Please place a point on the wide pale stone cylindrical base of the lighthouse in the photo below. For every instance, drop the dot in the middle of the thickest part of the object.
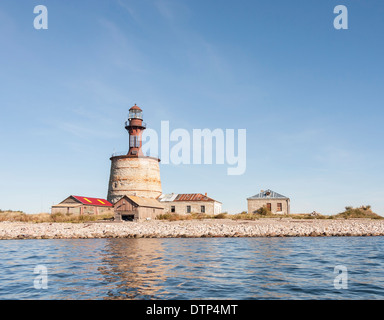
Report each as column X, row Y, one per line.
column 134, row 176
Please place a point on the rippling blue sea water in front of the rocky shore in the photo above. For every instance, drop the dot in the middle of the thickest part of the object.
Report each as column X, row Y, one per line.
column 203, row 268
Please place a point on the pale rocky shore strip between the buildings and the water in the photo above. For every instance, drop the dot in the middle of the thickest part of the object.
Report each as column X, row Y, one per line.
column 193, row 228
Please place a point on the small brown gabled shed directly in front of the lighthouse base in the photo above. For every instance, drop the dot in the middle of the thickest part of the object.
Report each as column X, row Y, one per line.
column 134, row 208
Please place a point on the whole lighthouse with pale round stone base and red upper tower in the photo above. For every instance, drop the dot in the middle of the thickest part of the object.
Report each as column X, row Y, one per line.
column 134, row 174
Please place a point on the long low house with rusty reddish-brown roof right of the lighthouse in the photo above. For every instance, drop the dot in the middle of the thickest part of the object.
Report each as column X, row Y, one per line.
column 189, row 203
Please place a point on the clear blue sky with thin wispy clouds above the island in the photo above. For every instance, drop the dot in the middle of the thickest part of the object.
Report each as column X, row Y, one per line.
column 310, row 96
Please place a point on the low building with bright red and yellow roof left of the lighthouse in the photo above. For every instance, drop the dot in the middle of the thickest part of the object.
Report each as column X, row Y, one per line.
column 83, row 205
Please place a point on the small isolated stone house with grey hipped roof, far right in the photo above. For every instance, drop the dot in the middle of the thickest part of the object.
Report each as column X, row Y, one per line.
column 273, row 201
